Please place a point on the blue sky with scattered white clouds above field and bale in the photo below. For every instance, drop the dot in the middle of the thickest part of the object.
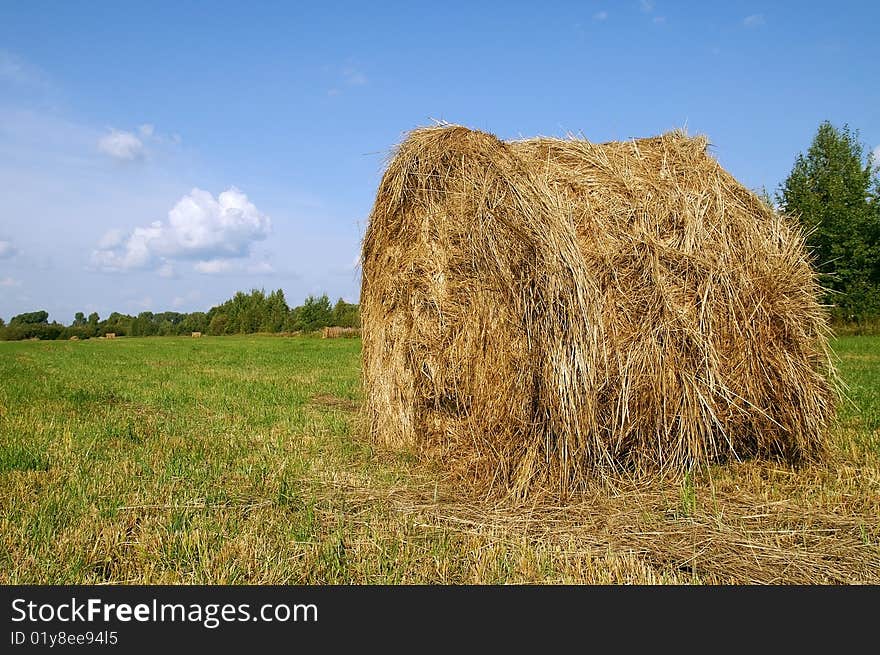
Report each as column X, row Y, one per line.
column 161, row 156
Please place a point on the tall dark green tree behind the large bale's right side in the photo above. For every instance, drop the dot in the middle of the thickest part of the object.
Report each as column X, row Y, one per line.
column 833, row 190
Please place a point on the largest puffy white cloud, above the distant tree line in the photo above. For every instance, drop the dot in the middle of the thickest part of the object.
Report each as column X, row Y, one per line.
column 199, row 227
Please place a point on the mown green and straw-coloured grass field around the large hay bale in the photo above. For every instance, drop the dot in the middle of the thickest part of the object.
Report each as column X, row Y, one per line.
column 238, row 460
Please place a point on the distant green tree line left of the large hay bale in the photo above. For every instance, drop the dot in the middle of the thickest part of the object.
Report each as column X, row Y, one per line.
column 244, row 313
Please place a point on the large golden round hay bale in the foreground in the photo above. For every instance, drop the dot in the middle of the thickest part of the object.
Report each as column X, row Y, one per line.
column 545, row 311
